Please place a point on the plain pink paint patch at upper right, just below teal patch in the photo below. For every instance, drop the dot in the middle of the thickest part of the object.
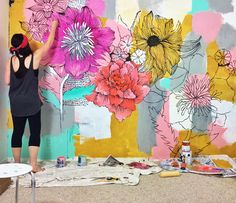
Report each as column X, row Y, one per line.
column 207, row 24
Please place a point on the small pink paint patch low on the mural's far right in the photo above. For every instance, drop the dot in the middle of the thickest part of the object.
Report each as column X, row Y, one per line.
column 216, row 133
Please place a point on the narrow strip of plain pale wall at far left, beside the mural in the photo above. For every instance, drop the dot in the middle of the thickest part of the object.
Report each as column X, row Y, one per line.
column 4, row 19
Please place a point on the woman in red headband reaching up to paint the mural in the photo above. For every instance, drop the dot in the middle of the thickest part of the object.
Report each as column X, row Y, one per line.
column 22, row 76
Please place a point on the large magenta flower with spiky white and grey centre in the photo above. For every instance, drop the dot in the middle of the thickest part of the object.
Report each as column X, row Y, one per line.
column 81, row 41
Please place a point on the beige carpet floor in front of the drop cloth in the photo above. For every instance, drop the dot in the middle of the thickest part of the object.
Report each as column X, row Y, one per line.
column 188, row 188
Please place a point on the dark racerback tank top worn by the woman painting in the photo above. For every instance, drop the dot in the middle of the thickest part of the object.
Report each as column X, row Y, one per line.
column 23, row 92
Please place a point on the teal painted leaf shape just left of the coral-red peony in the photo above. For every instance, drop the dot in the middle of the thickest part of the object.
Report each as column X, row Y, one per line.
column 78, row 93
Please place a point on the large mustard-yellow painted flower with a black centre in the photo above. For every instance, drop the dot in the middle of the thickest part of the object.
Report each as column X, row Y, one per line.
column 159, row 40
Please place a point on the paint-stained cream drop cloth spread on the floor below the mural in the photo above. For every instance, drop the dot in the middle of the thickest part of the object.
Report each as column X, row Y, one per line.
column 92, row 174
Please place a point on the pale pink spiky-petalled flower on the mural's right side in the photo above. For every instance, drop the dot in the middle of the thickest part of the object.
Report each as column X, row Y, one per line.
column 196, row 96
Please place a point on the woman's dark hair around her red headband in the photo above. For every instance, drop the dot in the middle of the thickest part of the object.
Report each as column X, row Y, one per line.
column 16, row 41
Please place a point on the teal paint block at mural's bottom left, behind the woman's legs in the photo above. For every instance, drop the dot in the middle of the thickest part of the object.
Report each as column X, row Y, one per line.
column 51, row 146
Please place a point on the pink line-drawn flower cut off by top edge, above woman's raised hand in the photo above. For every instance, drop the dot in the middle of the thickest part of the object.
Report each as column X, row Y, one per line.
column 47, row 7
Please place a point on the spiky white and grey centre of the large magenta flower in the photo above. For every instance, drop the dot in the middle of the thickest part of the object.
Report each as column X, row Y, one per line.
column 78, row 40
